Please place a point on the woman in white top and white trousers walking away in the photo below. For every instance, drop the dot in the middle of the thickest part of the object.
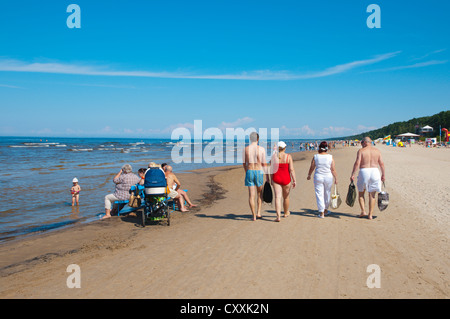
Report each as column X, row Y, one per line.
column 323, row 163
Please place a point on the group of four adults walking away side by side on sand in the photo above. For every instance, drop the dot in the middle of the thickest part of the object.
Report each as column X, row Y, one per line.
column 281, row 174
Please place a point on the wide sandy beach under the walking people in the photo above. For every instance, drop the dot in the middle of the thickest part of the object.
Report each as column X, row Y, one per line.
column 217, row 251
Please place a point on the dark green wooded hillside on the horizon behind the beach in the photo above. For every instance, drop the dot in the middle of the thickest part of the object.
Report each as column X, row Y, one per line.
column 412, row 126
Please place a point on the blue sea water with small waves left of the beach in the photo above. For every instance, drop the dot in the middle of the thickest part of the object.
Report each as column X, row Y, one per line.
column 36, row 176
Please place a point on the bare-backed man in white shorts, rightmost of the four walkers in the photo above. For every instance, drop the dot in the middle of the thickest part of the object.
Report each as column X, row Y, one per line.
column 368, row 159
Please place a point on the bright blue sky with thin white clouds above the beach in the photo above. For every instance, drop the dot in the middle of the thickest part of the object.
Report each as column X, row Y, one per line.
column 143, row 68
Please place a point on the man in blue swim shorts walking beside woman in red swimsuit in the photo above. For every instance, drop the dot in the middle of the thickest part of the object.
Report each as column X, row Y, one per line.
column 254, row 163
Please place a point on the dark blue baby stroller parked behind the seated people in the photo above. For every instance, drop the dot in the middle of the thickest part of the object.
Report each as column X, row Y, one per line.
column 156, row 201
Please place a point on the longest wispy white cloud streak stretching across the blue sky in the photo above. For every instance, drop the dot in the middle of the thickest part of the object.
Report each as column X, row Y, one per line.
column 10, row 65
